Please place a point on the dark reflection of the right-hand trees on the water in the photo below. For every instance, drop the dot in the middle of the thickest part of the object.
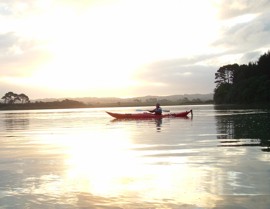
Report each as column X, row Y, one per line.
column 243, row 128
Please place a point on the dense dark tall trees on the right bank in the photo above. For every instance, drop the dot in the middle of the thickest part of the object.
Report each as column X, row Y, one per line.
column 244, row 84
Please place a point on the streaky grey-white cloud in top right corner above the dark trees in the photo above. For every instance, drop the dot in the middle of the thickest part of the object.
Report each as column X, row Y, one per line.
column 244, row 32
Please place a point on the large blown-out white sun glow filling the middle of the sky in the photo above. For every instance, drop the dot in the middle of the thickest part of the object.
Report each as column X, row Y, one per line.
column 96, row 49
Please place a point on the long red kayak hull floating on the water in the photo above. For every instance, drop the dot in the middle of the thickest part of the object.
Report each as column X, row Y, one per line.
column 146, row 115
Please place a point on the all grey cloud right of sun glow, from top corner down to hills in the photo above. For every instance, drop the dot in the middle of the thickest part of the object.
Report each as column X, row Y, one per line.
column 242, row 40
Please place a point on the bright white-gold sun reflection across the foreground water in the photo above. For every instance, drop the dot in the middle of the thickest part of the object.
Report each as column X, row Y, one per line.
column 108, row 164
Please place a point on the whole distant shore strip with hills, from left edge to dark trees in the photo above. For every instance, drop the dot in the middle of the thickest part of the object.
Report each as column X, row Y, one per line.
column 93, row 102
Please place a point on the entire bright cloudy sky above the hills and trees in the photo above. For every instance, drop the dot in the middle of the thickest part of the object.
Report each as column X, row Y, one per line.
column 126, row 48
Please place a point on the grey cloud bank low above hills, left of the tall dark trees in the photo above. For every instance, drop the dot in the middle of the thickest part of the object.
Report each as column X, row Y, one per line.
column 179, row 75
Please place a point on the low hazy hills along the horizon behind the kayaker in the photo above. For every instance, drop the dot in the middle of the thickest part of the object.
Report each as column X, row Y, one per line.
column 145, row 99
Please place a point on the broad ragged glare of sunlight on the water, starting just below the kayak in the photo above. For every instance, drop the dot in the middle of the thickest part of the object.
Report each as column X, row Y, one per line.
column 111, row 166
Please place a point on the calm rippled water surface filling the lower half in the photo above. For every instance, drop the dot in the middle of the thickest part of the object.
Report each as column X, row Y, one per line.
column 82, row 158
